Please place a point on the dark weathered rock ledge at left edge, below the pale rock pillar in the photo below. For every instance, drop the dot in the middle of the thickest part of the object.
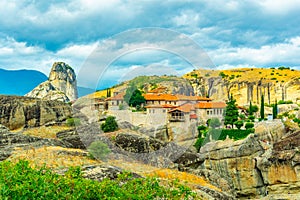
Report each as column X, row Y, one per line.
column 22, row 112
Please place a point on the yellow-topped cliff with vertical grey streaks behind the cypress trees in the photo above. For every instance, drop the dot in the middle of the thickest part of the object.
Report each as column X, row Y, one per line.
column 247, row 84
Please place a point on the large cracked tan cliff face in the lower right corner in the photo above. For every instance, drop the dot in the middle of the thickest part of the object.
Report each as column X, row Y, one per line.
column 264, row 164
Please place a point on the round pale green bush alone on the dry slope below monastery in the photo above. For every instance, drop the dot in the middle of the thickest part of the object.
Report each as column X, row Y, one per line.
column 98, row 150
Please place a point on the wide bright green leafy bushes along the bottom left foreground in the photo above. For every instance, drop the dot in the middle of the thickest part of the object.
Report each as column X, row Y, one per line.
column 20, row 181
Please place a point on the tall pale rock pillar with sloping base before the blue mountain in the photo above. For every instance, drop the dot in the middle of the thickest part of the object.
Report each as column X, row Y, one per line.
column 61, row 84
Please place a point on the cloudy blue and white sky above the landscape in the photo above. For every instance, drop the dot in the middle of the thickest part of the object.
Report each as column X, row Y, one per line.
column 231, row 34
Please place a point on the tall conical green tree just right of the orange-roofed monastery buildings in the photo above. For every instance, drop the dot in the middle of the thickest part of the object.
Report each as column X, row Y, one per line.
column 231, row 112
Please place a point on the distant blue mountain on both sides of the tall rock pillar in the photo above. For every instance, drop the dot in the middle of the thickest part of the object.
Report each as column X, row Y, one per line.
column 20, row 82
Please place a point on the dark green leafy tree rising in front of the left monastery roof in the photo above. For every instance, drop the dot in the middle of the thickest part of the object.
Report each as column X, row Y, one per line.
column 134, row 97
